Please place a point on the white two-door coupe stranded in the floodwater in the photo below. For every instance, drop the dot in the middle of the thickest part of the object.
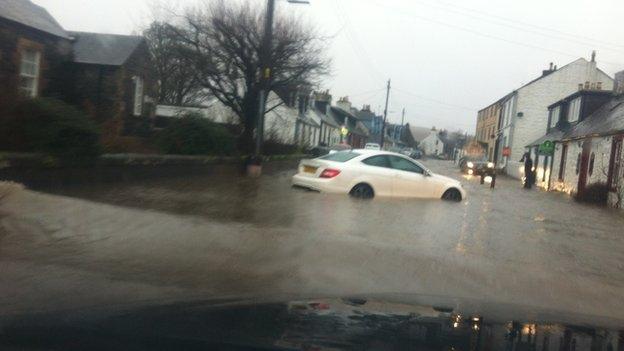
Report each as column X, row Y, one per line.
column 369, row 173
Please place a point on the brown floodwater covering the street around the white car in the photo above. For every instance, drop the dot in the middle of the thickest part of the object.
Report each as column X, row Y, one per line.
column 228, row 236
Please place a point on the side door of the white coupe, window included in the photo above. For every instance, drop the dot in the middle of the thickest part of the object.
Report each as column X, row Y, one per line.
column 410, row 179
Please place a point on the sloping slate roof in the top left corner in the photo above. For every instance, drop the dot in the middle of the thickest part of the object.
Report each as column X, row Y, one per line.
column 31, row 15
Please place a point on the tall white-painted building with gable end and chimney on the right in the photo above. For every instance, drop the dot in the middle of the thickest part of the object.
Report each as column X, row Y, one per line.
column 524, row 113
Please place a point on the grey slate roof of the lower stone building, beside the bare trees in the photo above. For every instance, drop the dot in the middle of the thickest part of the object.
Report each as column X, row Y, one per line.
column 104, row 49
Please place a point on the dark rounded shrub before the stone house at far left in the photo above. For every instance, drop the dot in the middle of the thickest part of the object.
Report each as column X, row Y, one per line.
column 52, row 127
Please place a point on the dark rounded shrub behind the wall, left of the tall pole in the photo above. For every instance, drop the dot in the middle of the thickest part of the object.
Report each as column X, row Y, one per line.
column 195, row 135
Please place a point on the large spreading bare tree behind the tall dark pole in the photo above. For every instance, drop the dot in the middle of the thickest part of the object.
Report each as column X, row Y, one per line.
column 223, row 45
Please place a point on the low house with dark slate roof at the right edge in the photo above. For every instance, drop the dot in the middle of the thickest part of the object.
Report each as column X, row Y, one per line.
column 587, row 129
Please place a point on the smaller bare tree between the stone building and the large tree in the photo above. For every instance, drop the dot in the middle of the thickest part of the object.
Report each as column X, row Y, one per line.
column 178, row 84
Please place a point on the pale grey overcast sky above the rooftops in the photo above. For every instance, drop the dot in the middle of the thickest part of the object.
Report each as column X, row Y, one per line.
column 447, row 59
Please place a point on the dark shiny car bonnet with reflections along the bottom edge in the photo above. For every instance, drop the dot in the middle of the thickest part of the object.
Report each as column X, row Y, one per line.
column 327, row 324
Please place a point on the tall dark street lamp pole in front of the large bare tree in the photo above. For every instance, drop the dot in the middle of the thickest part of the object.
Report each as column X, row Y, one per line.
column 255, row 167
